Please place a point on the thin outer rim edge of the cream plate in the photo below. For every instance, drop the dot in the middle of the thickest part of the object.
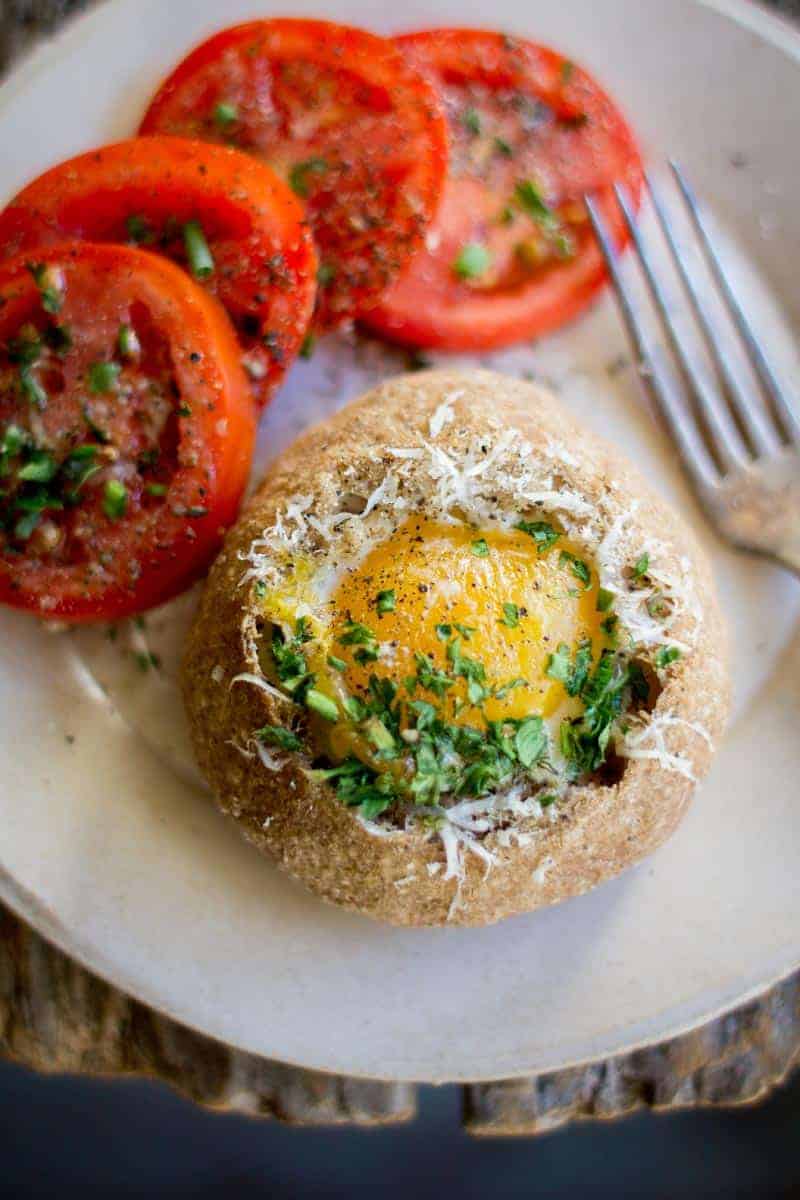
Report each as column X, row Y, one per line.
column 783, row 34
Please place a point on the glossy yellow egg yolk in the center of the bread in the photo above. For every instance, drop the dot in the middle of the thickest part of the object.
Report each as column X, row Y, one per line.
column 449, row 575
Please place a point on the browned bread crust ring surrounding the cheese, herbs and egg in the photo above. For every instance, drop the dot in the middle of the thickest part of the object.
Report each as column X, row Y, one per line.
column 594, row 835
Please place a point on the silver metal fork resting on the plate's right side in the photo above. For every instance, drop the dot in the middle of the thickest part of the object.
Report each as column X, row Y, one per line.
column 739, row 442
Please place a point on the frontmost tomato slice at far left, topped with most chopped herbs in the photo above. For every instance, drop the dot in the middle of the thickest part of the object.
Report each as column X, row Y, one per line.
column 127, row 431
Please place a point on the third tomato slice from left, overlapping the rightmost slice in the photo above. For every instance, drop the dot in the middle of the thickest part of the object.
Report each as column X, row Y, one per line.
column 341, row 116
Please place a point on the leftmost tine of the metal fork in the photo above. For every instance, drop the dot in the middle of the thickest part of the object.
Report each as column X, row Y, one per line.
column 678, row 421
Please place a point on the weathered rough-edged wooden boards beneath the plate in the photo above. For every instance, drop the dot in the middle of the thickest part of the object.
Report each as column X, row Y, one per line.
column 57, row 1017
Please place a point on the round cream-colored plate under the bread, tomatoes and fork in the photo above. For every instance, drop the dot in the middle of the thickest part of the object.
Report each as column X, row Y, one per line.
column 112, row 849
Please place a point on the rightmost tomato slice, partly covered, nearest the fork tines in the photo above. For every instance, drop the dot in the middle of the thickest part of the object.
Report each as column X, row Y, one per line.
column 512, row 255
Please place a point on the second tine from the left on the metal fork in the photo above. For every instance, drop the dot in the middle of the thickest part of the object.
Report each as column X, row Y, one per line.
column 723, row 434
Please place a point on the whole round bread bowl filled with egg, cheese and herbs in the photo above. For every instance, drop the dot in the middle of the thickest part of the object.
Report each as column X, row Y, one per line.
column 456, row 661
